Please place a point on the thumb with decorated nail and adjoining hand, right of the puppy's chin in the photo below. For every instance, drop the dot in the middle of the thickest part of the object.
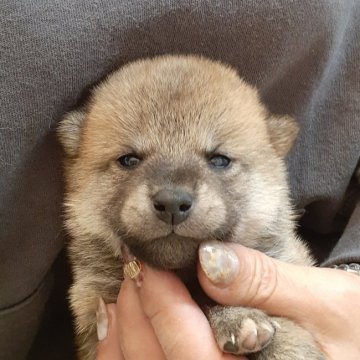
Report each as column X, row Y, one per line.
column 323, row 301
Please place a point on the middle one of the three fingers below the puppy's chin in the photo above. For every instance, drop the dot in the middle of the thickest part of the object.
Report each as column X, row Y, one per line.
column 136, row 335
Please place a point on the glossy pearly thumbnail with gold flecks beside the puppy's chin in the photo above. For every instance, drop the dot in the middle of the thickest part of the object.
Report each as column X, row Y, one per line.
column 219, row 263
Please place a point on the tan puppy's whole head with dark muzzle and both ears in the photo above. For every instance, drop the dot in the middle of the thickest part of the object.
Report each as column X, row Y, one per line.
column 171, row 152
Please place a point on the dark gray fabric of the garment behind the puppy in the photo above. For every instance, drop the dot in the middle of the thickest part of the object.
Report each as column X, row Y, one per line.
column 303, row 56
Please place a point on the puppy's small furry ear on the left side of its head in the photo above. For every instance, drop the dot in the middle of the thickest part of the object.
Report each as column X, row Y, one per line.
column 69, row 131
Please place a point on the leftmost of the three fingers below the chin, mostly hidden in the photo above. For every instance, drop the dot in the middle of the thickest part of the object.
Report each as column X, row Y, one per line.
column 109, row 348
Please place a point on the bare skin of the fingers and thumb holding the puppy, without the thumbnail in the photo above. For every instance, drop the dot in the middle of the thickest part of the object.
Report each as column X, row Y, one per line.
column 158, row 318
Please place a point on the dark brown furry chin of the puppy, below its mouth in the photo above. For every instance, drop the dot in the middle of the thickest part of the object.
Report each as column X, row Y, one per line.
column 168, row 253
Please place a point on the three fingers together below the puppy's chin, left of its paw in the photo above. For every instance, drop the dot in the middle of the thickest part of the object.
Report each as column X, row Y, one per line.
column 157, row 321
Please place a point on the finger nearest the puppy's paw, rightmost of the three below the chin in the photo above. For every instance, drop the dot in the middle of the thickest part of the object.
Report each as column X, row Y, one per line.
column 180, row 326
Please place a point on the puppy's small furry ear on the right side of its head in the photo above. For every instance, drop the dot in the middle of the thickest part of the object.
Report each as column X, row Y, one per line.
column 282, row 131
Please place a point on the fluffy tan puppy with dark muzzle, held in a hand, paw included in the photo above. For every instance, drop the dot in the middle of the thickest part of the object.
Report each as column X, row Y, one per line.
column 170, row 152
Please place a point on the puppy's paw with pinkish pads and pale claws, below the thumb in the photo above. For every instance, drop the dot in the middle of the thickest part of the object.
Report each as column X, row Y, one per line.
column 241, row 331
